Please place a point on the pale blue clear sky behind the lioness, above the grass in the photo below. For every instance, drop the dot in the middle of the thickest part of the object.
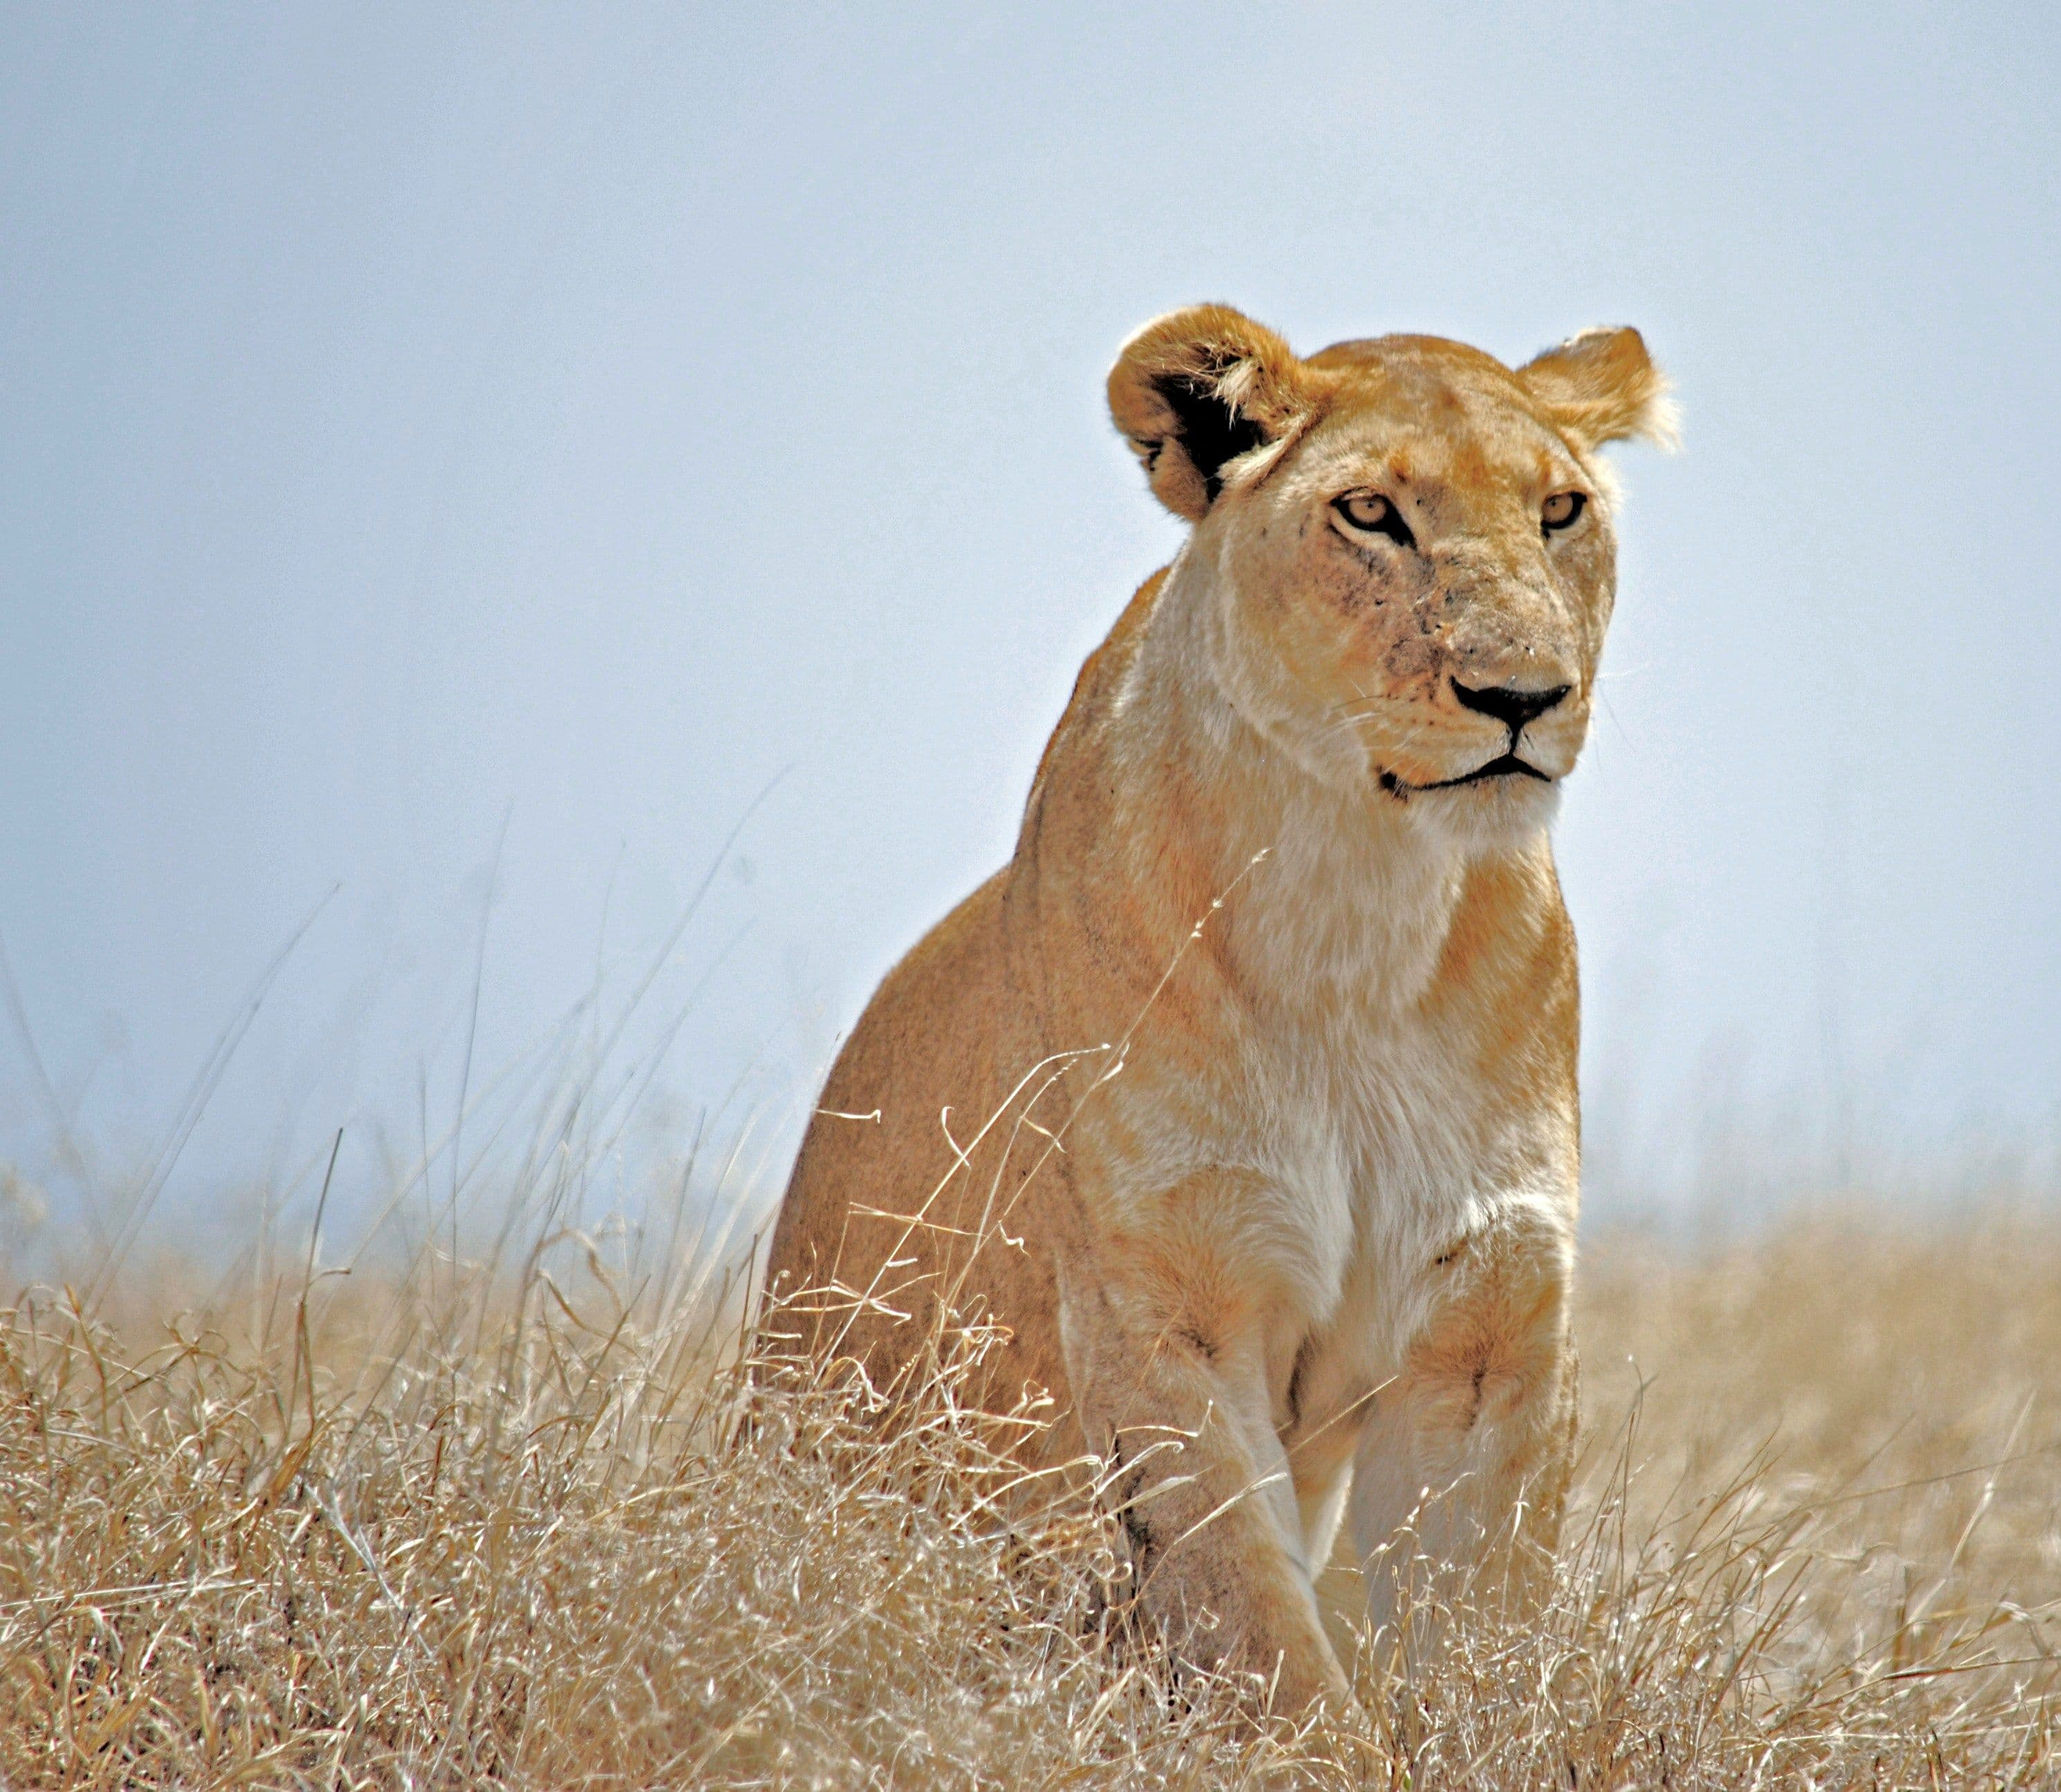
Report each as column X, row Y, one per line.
column 483, row 452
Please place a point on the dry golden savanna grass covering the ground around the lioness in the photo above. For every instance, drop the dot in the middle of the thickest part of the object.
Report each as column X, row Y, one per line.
column 454, row 1529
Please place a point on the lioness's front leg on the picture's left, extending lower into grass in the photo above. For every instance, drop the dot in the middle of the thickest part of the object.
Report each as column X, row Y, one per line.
column 1170, row 1383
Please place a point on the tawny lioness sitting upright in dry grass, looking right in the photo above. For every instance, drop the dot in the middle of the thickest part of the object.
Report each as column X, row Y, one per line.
column 1244, row 1097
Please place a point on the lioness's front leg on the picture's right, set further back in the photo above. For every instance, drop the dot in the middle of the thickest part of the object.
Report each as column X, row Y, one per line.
column 1464, row 1461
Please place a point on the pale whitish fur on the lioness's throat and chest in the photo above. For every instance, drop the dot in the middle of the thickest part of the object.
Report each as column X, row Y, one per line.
column 1343, row 1128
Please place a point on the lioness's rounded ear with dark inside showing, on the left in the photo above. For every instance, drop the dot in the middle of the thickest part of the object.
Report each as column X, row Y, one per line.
column 1196, row 390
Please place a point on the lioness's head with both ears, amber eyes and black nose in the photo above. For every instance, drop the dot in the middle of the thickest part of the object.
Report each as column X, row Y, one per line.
column 1403, row 549
